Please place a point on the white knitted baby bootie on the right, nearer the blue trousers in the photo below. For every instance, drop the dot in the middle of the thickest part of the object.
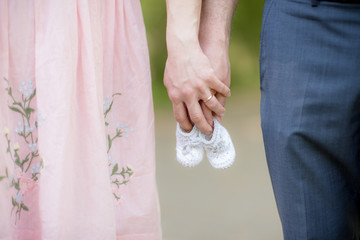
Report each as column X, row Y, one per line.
column 219, row 148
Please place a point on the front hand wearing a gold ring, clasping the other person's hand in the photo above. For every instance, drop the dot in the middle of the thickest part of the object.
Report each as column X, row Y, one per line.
column 190, row 79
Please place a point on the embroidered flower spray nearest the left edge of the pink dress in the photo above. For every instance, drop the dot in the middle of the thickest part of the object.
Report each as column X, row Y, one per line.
column 24, row 162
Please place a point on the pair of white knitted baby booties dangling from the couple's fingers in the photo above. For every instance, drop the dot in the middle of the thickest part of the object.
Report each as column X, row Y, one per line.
column 219, row 148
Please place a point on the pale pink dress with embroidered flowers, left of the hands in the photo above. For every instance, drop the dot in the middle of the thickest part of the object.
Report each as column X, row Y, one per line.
column 76, row 118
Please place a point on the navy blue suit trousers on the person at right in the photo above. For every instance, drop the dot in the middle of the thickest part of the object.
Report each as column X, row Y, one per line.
column 310, row 112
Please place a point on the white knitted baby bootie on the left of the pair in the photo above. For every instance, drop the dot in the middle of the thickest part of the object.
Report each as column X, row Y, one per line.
column 189, row 149
